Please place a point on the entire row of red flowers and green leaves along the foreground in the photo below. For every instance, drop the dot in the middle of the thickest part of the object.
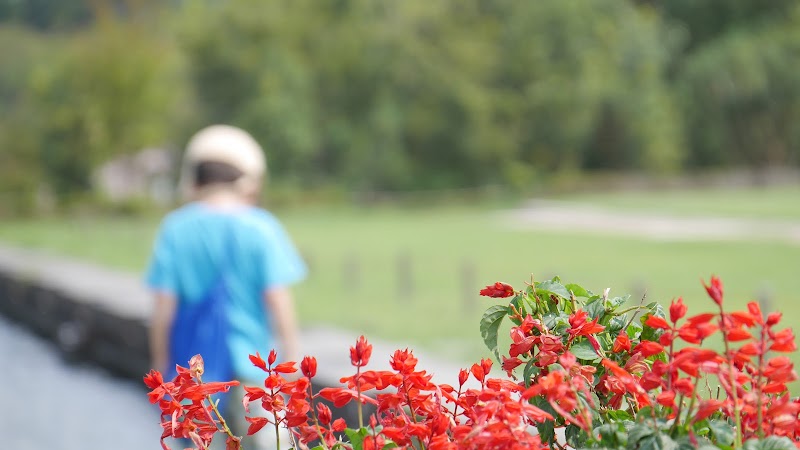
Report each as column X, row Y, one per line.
column 582, row 373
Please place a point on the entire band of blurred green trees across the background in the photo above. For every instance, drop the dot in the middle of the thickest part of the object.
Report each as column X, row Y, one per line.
column 383, row 95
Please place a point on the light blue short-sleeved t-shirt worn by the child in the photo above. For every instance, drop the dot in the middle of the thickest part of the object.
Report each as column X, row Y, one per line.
column 193, row 245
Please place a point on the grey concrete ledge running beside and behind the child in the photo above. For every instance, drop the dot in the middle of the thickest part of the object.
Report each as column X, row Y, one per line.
column 101, row 315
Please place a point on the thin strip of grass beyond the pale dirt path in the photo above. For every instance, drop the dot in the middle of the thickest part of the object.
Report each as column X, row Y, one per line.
column 772, row 203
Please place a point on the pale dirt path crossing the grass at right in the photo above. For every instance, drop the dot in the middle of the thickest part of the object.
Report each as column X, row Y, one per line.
column 549, row 215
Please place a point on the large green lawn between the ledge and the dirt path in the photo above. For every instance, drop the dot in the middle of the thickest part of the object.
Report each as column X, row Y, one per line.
column 413, row 275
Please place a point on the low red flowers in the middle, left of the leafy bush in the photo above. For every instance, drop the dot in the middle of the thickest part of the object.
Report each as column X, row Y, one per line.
column 411, row 410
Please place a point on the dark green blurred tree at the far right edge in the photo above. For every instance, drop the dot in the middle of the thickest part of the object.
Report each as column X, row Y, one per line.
column 742, row 98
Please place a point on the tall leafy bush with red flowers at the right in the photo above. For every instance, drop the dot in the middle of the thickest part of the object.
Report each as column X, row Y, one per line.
column 601, row 372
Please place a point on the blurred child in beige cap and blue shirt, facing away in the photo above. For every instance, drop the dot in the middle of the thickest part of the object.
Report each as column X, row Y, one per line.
column 221, row 268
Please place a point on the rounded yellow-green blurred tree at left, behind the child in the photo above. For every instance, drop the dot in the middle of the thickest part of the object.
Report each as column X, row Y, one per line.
column 111, row 90
